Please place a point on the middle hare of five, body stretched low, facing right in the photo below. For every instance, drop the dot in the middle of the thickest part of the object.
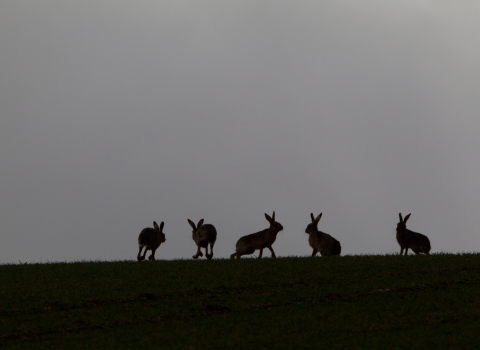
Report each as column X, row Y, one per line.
column 259, row 240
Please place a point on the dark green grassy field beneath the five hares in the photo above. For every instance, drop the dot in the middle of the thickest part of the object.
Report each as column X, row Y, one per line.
column 378, row 302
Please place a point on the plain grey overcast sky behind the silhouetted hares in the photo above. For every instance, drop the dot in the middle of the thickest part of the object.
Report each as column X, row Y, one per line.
column 114, row 114
